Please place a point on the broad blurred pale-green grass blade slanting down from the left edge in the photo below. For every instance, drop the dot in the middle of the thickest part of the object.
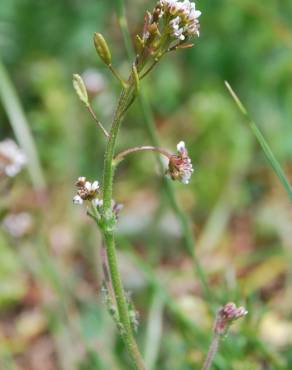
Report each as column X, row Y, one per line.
column 20, row 127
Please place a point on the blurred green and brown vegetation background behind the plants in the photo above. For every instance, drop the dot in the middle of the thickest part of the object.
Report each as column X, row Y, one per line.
column 51, row 310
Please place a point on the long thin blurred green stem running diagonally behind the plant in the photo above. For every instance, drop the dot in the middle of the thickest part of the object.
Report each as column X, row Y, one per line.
column 189, row 241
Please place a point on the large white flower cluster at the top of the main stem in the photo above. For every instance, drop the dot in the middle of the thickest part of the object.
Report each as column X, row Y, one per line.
column 182, row 17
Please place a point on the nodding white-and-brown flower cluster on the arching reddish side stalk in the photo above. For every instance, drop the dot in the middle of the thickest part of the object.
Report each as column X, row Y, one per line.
column 180, row 165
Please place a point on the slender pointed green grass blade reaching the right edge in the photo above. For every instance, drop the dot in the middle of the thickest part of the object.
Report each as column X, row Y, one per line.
column 263, row 143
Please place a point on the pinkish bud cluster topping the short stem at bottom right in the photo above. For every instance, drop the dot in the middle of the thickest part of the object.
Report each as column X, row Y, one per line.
column 226, row 315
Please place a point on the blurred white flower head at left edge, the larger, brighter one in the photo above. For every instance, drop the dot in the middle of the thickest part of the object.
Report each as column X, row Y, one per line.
column 12, row 159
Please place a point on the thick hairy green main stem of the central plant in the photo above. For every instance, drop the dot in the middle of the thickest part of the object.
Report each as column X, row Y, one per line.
column 109, row 225
